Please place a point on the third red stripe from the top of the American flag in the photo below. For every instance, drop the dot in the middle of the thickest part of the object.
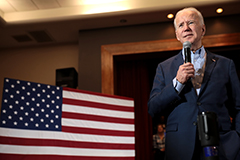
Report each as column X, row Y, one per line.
column 97, row 118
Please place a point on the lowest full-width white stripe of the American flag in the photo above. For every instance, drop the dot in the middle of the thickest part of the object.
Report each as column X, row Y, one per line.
column 34, row 150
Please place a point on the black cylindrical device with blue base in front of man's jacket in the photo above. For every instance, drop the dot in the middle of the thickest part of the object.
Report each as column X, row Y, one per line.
column 208, row 135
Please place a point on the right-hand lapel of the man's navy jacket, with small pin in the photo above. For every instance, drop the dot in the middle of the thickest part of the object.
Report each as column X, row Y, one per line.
column 210, row 64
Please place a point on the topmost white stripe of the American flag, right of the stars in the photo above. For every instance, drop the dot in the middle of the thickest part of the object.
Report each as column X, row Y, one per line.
column 98, row 99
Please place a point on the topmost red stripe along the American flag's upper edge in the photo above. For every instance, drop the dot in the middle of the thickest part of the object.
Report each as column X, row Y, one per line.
column 95, row 93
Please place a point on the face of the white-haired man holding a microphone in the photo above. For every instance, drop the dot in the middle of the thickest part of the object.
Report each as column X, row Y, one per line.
column 189, row 28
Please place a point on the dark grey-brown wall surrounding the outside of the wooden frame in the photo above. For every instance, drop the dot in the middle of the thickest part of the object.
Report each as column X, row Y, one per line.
column 90, row 42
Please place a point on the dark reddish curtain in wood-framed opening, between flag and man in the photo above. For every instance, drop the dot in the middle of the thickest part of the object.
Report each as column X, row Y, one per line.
column 132, row 79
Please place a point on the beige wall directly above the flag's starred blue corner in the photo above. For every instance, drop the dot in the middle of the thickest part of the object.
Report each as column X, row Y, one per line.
column 36, row 64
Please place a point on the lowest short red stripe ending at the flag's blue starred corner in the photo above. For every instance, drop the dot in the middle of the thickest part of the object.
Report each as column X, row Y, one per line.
column 97, row 131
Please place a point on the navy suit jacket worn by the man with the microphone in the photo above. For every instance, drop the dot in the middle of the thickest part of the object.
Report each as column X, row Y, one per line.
column 220, row 93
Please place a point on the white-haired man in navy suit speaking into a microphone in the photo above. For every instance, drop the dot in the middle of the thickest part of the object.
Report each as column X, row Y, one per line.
column 181, row 91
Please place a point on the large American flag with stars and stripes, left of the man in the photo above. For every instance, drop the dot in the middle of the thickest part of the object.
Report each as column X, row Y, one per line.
column 41, row 121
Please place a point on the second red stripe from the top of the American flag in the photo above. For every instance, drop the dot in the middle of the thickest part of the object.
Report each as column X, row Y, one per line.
column 97, row 105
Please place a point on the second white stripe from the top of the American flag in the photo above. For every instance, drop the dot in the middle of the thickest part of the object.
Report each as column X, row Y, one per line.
column 96, row 111
